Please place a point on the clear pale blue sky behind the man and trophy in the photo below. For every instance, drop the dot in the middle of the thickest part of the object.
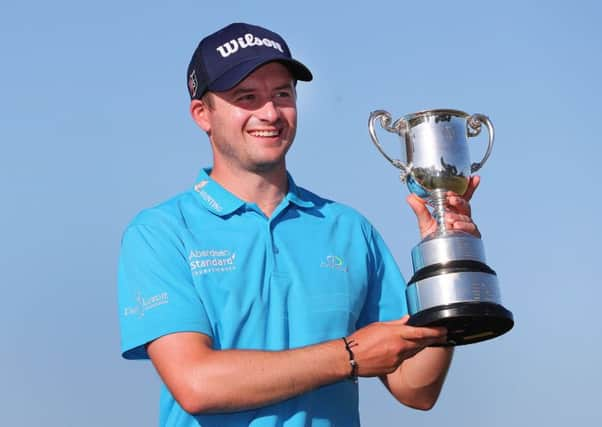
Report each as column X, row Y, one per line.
column 94, row 126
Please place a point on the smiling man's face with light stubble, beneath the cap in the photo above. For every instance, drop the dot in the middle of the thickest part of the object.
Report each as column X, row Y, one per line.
column 252, row 126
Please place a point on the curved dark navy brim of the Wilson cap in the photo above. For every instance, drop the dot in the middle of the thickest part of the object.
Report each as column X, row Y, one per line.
column 238, row 73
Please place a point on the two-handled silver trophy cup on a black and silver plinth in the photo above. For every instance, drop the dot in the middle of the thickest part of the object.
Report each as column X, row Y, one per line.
column 452, row 285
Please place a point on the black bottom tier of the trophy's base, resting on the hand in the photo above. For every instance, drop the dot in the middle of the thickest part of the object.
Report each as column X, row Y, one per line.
column 466, row 322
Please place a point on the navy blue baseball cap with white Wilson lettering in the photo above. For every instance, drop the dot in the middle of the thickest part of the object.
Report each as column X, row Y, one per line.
column 224, row 58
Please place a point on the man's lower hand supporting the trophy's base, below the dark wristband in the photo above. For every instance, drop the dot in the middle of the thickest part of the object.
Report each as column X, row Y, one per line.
column 381, row 347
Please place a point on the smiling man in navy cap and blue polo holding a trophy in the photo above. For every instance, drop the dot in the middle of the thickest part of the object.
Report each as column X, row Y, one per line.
column 258, row 302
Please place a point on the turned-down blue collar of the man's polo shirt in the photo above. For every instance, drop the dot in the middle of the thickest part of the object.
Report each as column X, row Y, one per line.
column 221, row 202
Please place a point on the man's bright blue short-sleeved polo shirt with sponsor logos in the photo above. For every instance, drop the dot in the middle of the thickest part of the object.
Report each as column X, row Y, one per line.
column 208, row 262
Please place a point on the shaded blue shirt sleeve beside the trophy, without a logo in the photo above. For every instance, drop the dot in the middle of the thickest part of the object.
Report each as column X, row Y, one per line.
column 385, row 299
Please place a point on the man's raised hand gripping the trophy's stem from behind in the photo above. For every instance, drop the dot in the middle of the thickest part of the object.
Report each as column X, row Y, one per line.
column 458, row 214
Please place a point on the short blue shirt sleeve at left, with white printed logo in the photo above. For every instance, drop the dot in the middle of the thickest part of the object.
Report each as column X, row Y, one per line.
column 155, row 289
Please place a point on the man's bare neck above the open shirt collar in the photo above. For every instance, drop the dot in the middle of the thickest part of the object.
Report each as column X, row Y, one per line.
column 265, row 189
